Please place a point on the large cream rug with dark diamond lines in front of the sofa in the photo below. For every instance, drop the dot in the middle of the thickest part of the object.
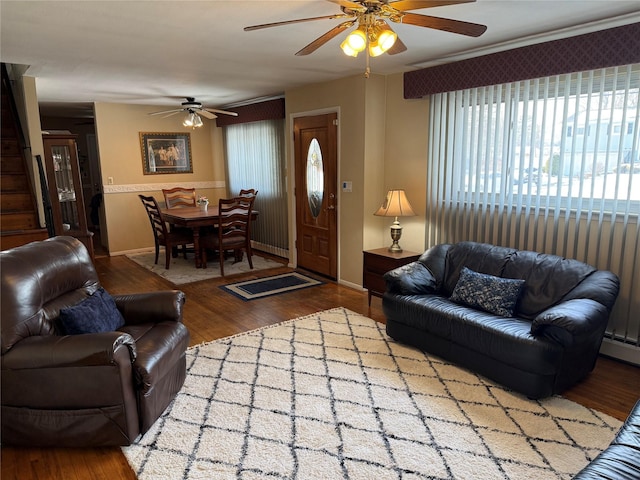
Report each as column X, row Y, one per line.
column 330, row 396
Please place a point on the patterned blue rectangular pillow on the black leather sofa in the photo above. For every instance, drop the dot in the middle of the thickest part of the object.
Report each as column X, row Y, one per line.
column 486, row 292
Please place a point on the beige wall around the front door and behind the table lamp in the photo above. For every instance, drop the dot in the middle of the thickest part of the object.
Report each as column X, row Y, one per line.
column 382, row 144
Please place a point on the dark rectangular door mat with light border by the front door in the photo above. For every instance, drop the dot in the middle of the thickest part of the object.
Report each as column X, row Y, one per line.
column 268, row 286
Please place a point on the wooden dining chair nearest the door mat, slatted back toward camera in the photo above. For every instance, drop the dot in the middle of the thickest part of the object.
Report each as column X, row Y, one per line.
column 233, row 233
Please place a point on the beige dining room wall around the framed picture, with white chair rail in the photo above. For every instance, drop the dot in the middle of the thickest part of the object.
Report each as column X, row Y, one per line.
column 117, row 131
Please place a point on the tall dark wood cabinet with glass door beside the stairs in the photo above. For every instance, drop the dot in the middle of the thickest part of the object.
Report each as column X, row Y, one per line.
column 65, row 188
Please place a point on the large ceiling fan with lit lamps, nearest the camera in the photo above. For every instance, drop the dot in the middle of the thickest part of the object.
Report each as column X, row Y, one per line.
column 373, row 33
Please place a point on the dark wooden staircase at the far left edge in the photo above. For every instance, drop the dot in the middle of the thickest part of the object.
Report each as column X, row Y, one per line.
column 19, row 222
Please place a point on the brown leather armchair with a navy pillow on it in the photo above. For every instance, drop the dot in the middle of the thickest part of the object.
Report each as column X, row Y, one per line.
column 91, row 389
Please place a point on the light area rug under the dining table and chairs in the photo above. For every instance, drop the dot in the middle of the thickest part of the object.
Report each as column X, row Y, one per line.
column 183, row 271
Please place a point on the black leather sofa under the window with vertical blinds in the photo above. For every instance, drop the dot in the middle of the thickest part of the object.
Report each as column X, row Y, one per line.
column 546, row 344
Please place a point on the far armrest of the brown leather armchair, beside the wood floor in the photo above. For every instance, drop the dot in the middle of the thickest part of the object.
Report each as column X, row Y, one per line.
column 151, row 307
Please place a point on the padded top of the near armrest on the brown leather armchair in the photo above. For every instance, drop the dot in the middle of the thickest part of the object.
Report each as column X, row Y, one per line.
column 53, row 351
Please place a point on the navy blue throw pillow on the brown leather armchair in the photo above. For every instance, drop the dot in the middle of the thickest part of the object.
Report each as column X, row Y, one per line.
column 96, row 313
